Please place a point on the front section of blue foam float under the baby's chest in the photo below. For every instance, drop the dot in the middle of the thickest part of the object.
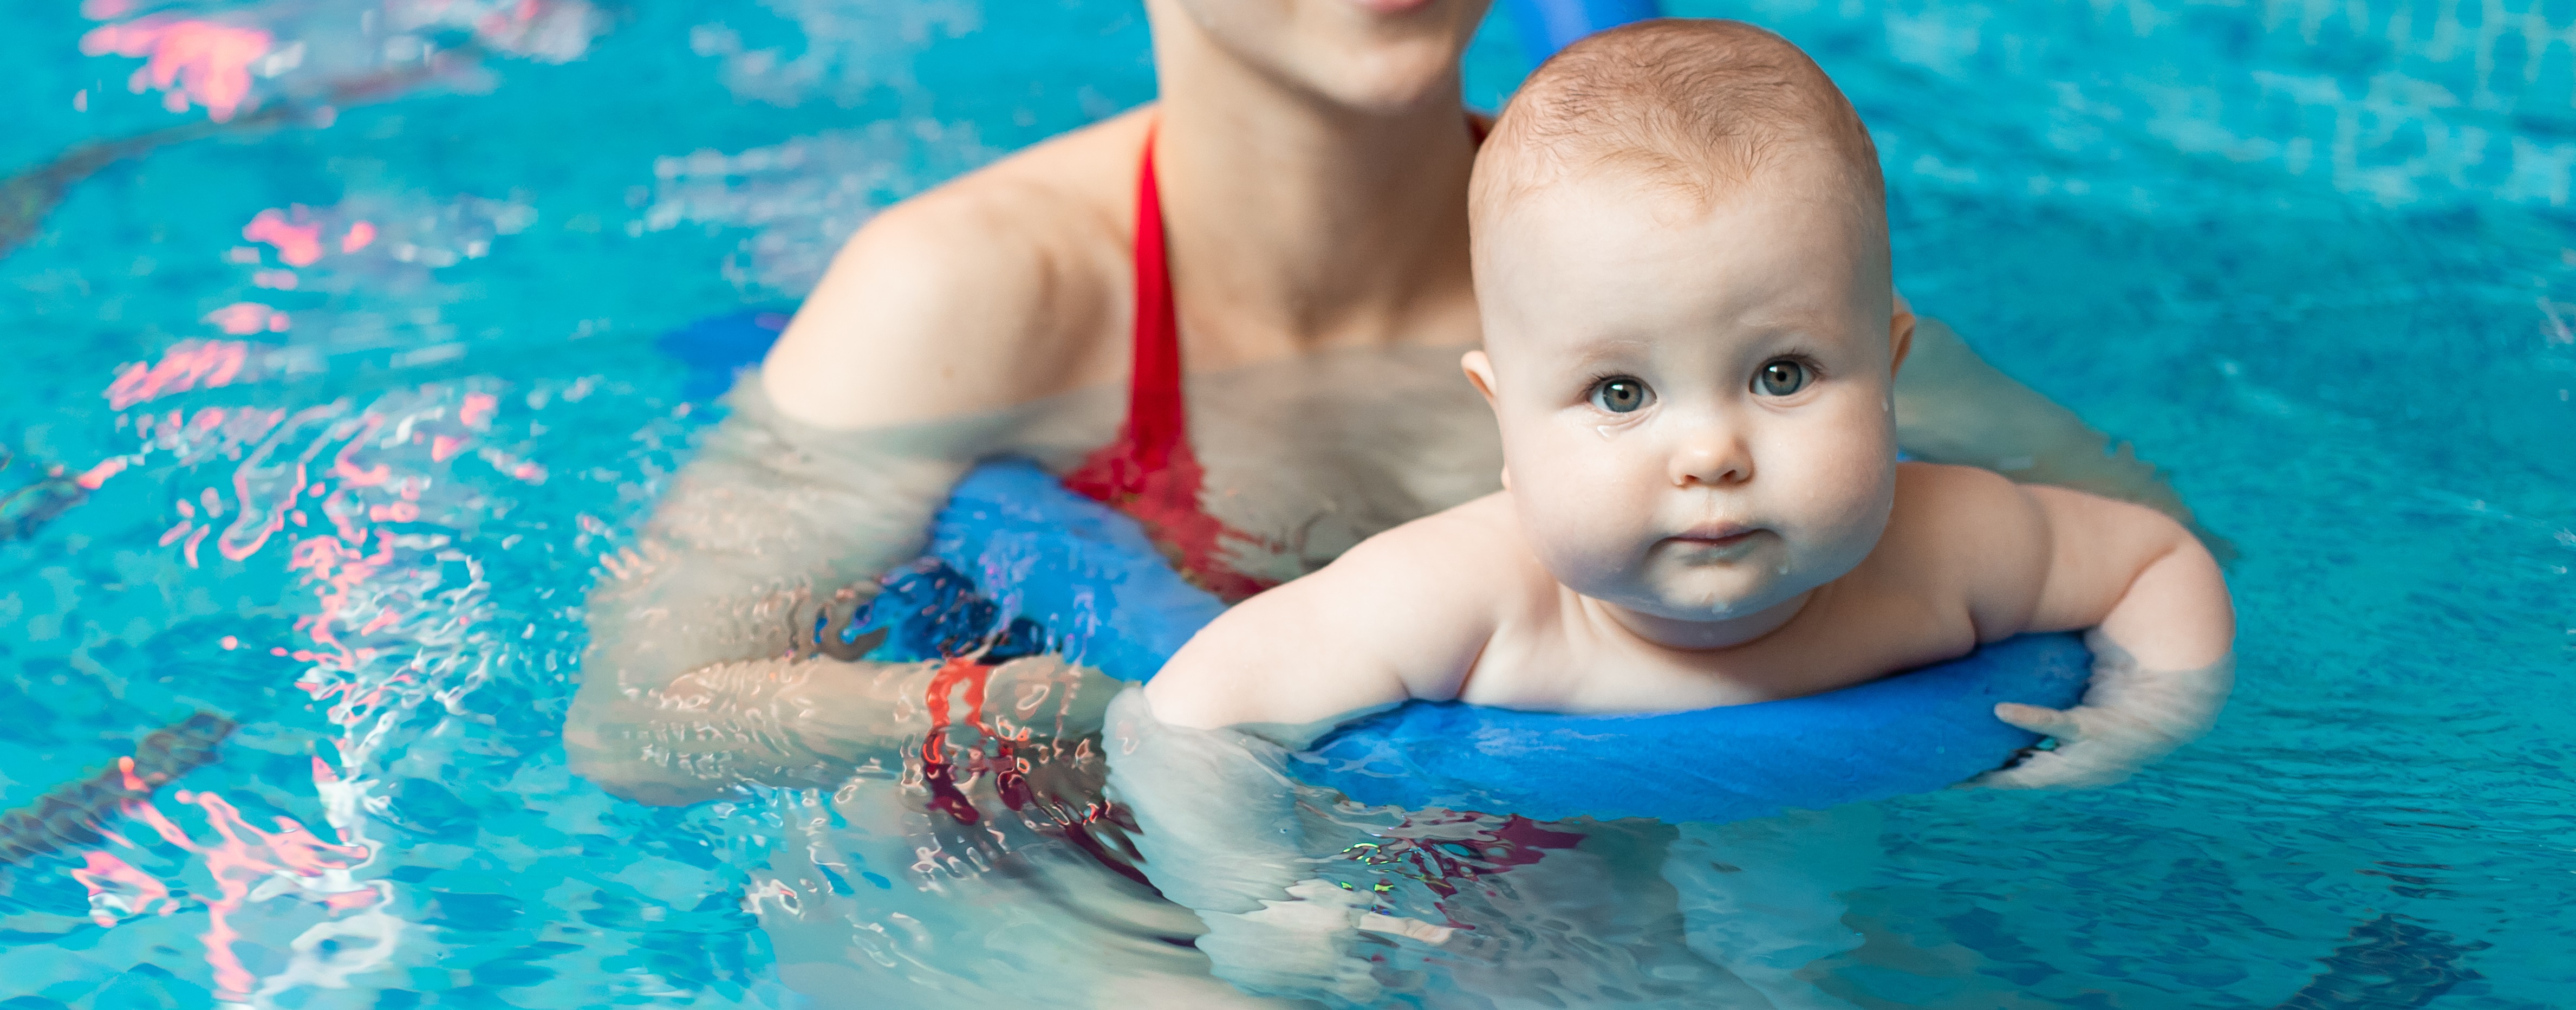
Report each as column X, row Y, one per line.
column 1910, row 733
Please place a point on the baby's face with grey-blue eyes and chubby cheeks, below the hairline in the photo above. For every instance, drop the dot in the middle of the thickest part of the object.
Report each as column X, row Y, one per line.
column 1696, row 406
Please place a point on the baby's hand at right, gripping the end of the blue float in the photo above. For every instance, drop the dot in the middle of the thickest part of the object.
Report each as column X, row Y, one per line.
column 2129, row 720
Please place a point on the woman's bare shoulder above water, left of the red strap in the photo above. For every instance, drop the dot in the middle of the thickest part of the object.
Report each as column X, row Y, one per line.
column 1001, row 287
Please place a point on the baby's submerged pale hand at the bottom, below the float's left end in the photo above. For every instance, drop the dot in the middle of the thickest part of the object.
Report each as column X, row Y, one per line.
column 1305, row 944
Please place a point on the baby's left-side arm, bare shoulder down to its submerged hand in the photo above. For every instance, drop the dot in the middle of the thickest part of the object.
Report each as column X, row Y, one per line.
column 1202, row 754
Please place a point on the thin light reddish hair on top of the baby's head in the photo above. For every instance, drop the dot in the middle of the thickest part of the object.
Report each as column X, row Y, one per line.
column 1694, row 107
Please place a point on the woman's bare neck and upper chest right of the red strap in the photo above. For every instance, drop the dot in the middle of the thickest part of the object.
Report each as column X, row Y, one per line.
column 1297, row 223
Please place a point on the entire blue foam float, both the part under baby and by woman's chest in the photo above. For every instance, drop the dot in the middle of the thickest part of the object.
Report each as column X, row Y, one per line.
column 1024, row 566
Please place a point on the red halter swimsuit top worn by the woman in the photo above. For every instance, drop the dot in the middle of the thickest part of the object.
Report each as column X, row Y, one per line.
column 1150, row 473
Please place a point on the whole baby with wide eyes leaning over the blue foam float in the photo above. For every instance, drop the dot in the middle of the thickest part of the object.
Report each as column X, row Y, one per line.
column 1691, row 347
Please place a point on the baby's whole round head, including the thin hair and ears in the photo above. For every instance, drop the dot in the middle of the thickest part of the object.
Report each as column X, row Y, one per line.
column 1691, row 334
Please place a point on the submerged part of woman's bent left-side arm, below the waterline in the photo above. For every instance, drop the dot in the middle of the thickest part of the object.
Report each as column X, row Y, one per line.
column 715, row 640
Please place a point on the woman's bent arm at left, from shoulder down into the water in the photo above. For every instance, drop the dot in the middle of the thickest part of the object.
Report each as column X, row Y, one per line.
column 939, row 339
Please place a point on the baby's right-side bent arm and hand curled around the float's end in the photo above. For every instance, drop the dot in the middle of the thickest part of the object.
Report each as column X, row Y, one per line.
column 2163, row 635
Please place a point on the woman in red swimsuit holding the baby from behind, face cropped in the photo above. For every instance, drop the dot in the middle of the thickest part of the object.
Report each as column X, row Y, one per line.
column 1235, row 316
